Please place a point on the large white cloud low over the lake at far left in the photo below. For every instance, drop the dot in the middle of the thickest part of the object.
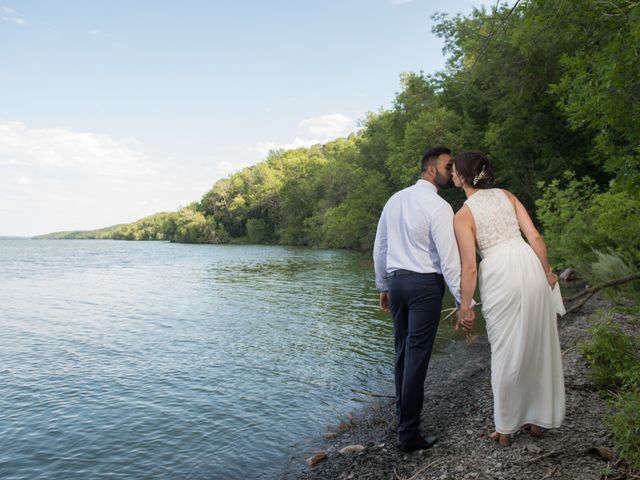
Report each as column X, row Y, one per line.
column 54, row 179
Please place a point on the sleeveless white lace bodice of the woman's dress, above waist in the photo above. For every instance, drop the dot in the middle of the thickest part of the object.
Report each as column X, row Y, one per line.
column 494, row 216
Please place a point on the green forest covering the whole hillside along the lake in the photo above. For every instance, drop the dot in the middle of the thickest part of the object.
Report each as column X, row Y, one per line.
column 548, row 89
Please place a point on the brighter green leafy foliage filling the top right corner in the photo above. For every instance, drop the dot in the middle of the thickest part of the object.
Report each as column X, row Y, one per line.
column 600, row 86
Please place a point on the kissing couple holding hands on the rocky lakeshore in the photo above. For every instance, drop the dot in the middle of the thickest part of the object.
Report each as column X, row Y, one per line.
column 420, row 246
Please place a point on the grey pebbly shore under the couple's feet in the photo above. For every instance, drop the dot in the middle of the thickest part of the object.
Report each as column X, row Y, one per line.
column 458, row 409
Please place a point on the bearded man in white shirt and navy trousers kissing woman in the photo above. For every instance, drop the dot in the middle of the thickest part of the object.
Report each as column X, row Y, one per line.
column 415, row 253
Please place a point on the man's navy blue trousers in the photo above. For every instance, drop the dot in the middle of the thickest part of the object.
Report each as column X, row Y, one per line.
column 416, row 302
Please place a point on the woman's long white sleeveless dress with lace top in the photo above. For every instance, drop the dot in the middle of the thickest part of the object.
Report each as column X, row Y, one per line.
column 526, row 363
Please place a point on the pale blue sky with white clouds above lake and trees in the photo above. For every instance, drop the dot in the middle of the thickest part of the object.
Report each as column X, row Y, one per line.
column 112, row 110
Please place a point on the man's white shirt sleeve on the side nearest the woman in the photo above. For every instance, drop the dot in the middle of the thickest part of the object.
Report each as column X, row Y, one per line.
column 444, row 240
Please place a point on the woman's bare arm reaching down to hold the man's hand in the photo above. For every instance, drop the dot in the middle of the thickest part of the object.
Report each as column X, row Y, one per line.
column 464, row 227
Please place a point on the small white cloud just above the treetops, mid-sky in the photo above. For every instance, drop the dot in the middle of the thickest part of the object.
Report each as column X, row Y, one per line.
column 313, row 131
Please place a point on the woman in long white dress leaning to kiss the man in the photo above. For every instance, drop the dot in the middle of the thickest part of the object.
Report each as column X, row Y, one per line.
column 515, row 280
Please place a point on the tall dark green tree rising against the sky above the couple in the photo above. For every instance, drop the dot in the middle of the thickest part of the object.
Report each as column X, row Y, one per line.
column 502, row 64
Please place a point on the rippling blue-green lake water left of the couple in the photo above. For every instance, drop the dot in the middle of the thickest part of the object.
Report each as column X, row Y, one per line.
column 135, row 360
